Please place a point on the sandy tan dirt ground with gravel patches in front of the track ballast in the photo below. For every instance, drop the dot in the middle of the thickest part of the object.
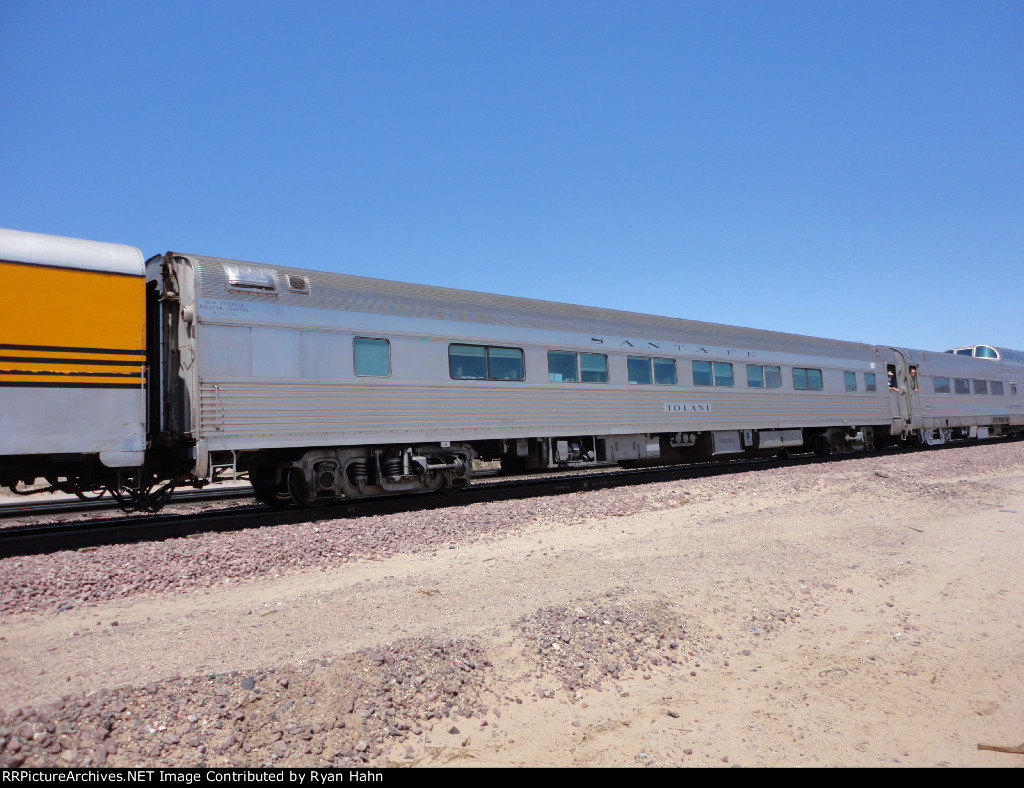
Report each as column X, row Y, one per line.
column 864, row 614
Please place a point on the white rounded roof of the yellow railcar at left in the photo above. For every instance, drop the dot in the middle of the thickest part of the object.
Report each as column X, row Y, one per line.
column 61, row 252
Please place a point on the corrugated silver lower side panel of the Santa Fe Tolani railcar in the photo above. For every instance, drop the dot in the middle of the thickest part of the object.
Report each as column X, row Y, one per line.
column 265, row 413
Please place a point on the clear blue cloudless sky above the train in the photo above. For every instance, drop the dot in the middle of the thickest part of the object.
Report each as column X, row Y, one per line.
column 852, row 170
